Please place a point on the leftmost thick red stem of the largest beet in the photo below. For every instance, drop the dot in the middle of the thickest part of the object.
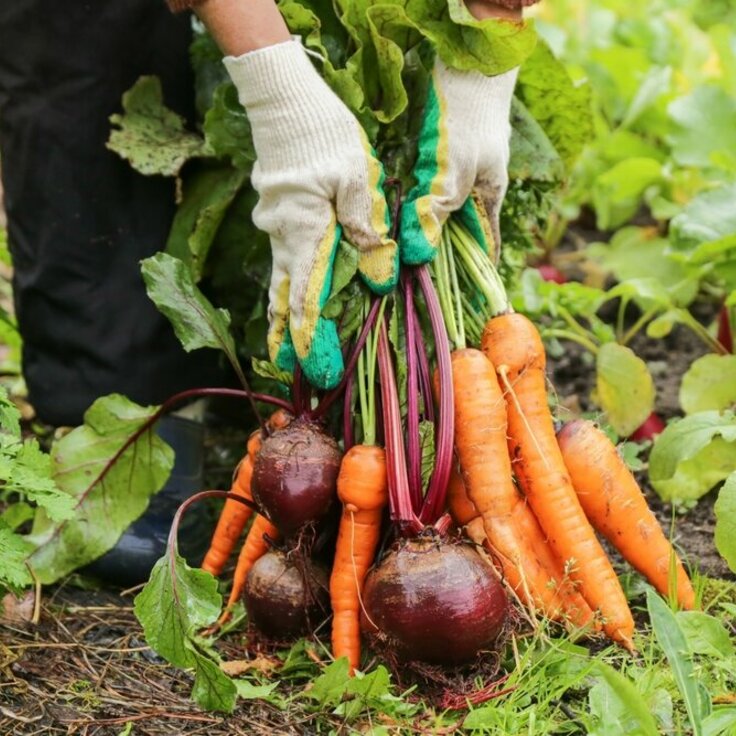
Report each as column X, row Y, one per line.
column 402, row 512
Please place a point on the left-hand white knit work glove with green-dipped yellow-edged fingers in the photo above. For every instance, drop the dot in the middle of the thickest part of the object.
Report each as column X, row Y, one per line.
column 316, row 176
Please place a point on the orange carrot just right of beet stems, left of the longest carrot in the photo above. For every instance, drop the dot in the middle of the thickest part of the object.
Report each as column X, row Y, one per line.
column 480, row 442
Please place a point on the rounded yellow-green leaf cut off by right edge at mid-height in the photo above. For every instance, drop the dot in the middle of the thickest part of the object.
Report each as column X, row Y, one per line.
column 709, row 383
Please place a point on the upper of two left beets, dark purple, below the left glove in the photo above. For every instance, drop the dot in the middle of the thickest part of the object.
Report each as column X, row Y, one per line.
column 295, row 476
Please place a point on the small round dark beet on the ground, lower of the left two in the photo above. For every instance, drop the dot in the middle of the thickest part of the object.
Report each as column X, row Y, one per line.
column 286, row 596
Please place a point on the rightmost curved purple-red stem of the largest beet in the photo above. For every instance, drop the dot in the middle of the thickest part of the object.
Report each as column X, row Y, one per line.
column 434, row 501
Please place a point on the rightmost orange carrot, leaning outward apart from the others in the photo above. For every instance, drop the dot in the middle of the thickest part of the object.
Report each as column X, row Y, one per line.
column 616, row 507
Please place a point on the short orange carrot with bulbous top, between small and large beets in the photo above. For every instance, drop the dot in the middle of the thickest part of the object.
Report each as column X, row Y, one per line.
column 362, row 487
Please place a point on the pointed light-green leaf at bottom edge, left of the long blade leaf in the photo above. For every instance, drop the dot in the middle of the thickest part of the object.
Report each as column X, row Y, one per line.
column 618, row 705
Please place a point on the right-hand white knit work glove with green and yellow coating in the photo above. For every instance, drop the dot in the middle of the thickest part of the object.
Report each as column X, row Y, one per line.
column 463, row 151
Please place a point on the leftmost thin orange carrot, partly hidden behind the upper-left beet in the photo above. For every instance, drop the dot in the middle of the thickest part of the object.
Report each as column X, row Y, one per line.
column 235, row 515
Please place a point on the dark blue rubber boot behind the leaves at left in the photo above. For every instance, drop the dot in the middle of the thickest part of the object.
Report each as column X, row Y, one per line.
column 130, row 561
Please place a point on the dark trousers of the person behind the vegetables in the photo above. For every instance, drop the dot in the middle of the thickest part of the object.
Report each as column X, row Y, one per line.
column 79, row 218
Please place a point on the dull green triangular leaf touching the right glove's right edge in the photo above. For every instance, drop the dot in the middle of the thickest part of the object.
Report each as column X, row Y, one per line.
column 532, row 154
